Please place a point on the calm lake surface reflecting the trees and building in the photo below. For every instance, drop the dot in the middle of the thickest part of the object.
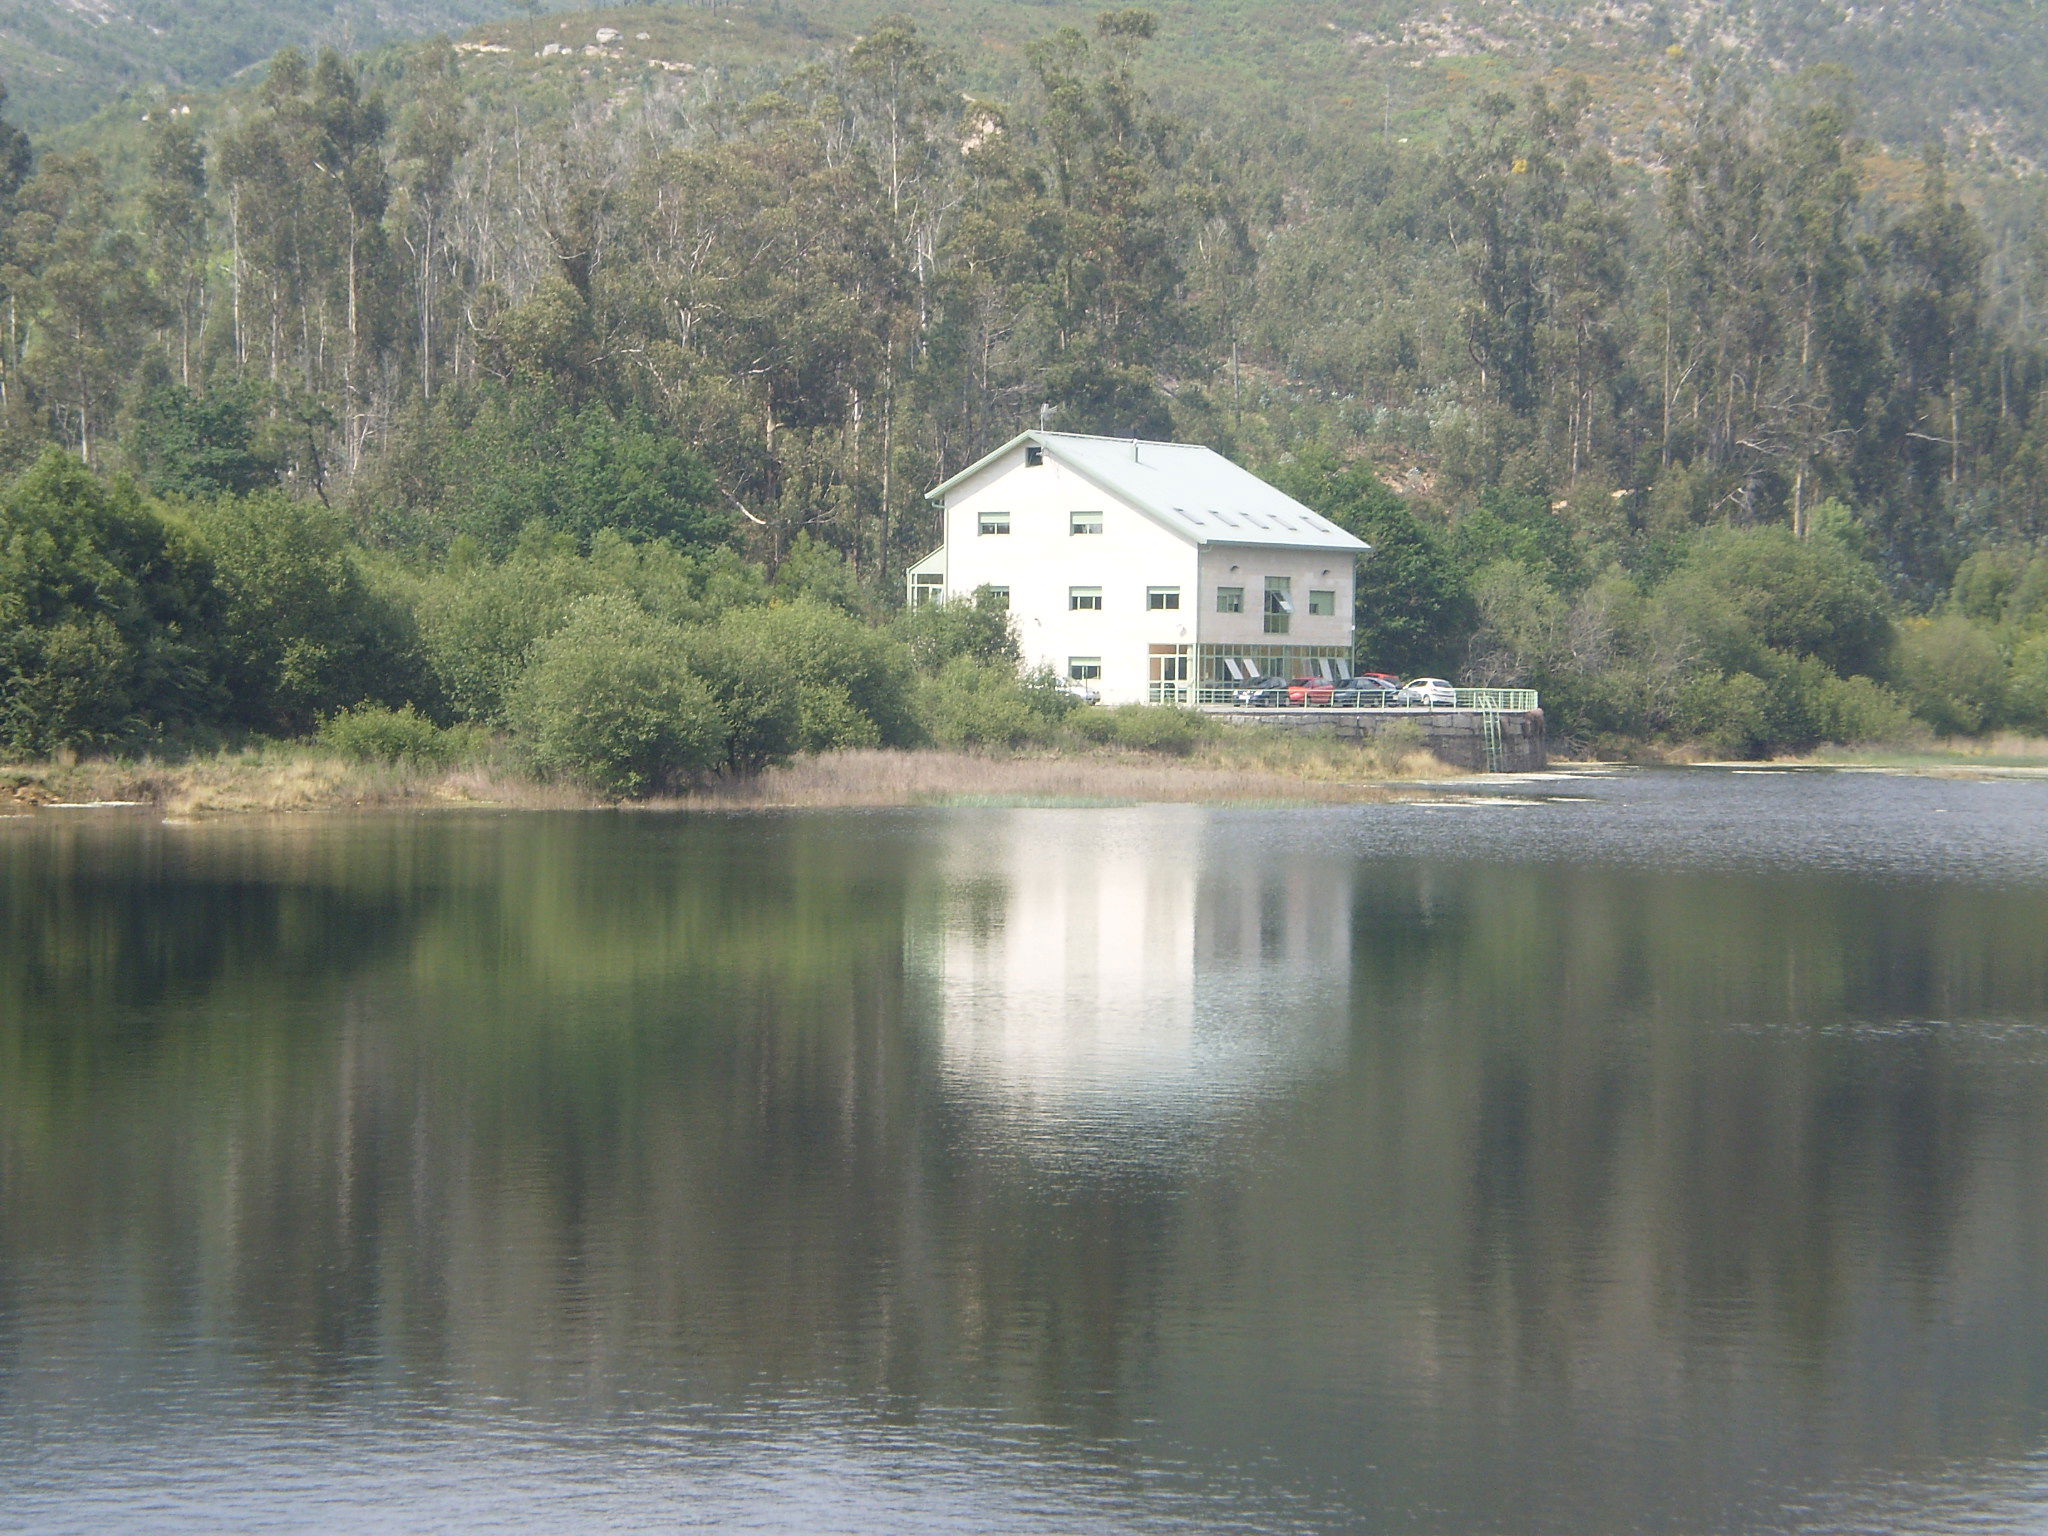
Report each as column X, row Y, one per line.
column 1648, row 1152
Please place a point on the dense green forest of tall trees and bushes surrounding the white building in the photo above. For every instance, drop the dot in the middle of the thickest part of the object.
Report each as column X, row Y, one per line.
column 1734, row 437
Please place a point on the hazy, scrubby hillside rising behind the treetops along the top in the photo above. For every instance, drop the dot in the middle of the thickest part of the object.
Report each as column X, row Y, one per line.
column 1973, row 73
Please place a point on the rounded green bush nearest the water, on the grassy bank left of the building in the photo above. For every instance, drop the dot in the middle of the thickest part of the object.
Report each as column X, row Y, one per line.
column 609, row 701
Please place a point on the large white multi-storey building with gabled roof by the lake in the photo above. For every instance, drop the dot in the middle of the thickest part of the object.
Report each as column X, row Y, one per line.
column 1146, row 570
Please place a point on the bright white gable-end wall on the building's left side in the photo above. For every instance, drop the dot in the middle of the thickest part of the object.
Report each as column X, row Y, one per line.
column 1041, row 560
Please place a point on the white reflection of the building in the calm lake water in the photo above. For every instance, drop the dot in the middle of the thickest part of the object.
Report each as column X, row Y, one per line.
column 1101, row 957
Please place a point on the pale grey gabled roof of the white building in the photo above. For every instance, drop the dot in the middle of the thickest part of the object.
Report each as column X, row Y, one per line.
column 1189, row 488
